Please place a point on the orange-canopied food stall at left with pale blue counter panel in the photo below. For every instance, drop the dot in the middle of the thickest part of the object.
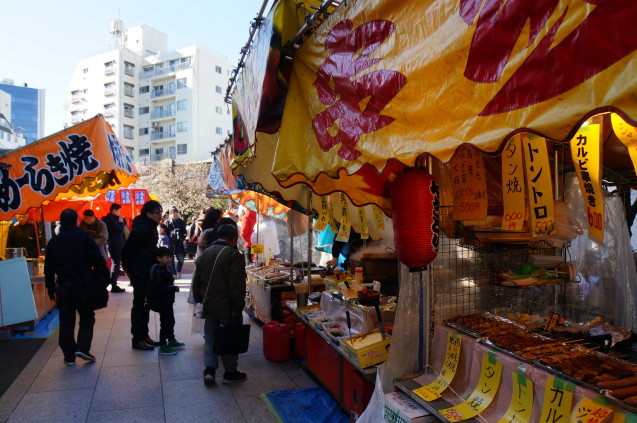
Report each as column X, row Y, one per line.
column 84, row 160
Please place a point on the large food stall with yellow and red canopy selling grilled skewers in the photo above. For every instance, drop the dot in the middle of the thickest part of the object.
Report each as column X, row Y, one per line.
column 525, row 117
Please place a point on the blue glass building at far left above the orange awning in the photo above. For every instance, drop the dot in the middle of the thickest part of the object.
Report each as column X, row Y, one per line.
column 26, row 109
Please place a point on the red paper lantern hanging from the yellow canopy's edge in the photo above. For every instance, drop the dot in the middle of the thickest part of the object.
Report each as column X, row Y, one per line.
column 415, row 197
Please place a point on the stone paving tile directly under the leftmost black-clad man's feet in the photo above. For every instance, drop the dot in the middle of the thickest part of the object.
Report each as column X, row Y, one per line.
column 57, row 376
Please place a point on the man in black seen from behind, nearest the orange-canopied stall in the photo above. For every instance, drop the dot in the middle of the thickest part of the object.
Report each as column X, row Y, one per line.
column 71, row 255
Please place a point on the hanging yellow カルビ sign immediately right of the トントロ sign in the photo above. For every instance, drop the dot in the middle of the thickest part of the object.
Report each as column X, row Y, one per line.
column 586, row 152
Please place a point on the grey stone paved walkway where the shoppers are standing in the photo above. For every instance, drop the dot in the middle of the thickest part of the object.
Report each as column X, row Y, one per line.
column 126, row 385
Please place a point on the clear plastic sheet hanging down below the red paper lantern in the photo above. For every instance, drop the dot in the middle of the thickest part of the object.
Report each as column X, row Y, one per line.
column 403, row 354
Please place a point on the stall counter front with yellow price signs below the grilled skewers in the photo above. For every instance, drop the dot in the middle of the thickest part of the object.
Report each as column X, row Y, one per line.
column 469, row 379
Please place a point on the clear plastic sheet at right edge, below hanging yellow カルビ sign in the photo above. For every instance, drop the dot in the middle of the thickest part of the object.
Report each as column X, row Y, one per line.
column 608, row 285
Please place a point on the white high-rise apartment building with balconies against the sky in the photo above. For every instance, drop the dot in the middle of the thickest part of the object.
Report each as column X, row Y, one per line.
column 160, row 104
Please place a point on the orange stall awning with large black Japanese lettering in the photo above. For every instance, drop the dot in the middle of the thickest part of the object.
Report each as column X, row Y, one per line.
column 85, row 159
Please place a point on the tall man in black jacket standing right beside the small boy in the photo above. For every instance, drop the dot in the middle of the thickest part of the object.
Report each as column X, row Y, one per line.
column 138, row 255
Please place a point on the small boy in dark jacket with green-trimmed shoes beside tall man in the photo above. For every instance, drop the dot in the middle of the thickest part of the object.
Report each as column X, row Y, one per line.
column 160, row 298
